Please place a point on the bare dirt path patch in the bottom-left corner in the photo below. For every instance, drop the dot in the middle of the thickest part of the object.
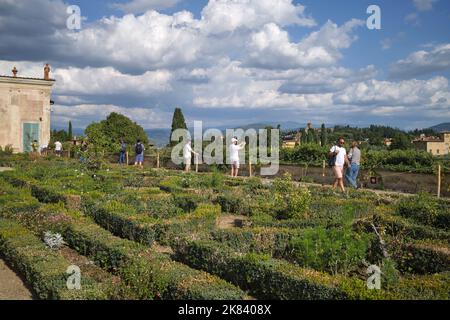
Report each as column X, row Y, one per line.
column 11, row 286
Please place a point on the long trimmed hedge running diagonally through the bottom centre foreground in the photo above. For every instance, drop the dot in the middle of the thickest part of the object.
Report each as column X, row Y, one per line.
column 266, row 278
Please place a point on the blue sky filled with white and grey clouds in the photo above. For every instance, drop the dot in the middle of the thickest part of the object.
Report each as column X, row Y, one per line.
column 235, row 62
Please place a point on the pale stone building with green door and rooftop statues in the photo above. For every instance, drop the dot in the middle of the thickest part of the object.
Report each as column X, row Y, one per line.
column 25, row 110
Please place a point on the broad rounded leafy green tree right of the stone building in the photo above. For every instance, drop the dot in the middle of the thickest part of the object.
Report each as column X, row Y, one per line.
column 106, row 134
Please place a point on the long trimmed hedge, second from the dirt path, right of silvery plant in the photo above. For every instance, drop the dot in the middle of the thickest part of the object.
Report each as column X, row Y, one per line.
column 147, row 273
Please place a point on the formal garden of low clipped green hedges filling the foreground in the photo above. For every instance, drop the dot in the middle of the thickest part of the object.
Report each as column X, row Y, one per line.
column 159, row 234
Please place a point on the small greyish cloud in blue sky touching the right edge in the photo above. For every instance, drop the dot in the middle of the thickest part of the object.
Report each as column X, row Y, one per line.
column 422, row 62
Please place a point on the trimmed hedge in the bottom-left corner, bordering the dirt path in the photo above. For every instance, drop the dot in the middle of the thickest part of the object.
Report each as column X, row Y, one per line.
column 43, row 268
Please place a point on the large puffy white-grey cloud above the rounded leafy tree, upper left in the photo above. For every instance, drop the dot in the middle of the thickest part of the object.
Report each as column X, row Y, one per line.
column 144, row 42
